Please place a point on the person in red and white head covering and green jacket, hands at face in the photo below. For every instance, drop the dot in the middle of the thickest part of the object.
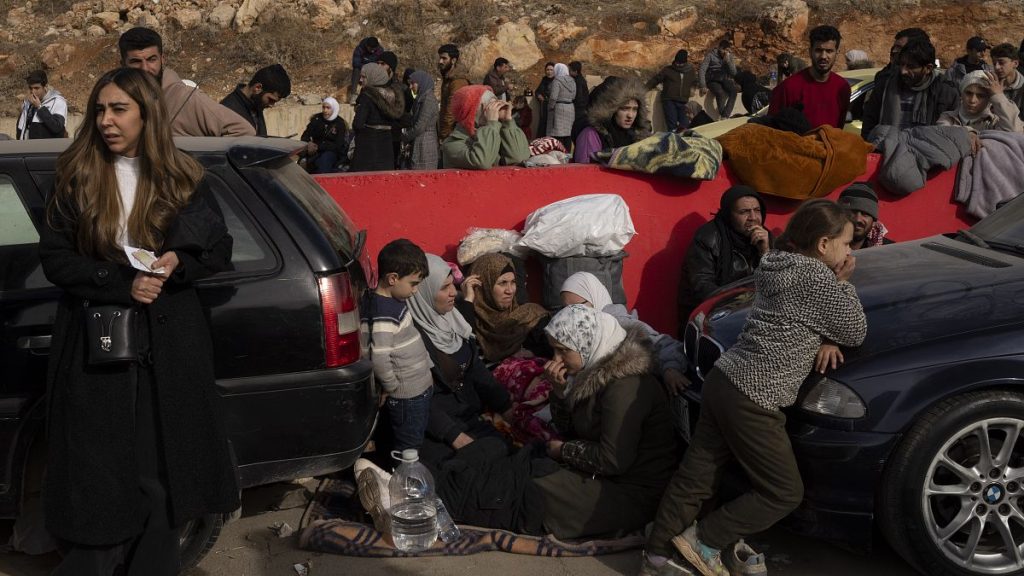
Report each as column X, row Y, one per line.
column 486, row 135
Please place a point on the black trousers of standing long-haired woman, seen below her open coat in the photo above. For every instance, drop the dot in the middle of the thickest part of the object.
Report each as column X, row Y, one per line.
column 155, row 552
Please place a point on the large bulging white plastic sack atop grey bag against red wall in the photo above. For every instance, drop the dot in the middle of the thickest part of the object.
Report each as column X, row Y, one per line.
column 593, row 225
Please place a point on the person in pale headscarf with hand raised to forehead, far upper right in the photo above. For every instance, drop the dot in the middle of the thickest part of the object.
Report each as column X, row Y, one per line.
column 984, row 106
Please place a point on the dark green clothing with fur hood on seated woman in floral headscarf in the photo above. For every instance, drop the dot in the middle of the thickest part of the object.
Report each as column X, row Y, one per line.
column 620, row 451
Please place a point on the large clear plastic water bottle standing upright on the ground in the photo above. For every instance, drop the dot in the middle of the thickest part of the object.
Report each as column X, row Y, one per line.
column 414, row 507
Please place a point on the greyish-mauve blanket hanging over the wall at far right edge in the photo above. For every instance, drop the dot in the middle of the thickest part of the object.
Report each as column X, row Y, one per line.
column 995, row 176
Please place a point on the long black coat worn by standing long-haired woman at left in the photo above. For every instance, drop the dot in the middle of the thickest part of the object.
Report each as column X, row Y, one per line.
column 92, row 491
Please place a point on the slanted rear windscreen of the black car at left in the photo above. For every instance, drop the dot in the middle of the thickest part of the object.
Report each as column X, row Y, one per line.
column 319, row 204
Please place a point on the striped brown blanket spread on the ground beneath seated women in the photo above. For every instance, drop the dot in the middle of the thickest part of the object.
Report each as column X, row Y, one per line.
column 328, row 527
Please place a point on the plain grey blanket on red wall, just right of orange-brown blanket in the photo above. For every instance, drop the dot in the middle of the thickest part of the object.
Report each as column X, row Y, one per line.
column 909, row 155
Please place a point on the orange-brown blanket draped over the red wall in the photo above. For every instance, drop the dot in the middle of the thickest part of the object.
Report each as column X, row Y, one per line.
column 795, row 167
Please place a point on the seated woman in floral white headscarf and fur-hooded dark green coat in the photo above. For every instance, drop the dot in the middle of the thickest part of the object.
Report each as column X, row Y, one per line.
column 620, row 447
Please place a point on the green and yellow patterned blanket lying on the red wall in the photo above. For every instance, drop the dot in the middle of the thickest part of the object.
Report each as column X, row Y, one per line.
column 668, row 153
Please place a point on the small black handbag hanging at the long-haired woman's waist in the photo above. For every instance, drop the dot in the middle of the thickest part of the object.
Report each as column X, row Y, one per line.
column 110, row 331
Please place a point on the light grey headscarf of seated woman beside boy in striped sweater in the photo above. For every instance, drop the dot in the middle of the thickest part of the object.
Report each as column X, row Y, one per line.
column 448, row 332
